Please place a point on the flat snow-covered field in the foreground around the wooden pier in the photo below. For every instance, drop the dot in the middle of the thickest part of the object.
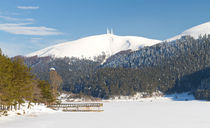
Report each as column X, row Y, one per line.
column 147, row 113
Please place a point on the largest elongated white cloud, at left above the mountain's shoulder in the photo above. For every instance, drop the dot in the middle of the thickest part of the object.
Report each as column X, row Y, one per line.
column 23, row 29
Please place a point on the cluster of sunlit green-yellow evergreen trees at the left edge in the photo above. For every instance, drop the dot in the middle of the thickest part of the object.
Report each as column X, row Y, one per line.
column 18, row 84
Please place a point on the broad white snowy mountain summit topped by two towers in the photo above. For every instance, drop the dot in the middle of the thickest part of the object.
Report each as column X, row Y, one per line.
column 92, row 46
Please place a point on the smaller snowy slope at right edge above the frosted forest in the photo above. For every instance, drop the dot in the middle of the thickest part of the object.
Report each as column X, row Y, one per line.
column 195, row 32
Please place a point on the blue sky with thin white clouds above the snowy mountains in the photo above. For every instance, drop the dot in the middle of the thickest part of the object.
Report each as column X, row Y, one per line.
column 30, row 25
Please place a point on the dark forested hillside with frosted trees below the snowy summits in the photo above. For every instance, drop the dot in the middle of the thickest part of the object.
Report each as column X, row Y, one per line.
column 178, row 66
